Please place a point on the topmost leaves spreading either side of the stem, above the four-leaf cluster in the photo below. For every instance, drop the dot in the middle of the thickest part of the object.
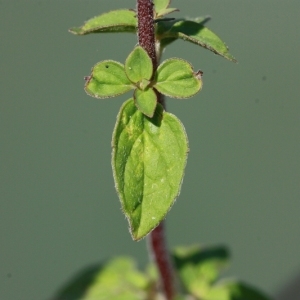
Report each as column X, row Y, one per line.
column 167, row 31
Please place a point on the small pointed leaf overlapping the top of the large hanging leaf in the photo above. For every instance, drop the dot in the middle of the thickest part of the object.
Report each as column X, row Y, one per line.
column 145, row 101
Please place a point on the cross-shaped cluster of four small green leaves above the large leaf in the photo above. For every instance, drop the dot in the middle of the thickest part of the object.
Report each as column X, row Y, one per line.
column 174, row 78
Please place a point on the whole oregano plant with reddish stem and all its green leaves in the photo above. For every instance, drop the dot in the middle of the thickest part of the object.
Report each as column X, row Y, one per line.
column 149, row 155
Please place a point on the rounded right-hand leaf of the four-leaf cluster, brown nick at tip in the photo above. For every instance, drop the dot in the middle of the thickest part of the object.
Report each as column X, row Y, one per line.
column 175, row 78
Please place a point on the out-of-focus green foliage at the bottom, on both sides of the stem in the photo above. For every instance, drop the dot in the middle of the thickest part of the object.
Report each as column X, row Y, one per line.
column 199, row 271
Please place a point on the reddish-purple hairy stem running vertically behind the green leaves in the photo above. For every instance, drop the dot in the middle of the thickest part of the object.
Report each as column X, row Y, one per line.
column 156, row 239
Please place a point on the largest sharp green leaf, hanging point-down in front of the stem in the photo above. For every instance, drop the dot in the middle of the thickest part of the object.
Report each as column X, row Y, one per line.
column 148, row 160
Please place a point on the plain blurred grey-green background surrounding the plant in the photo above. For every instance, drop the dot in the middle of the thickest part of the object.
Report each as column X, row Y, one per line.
column 58, row 207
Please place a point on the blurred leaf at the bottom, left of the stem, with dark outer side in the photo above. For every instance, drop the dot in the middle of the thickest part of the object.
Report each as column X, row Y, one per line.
column 117, row 279
